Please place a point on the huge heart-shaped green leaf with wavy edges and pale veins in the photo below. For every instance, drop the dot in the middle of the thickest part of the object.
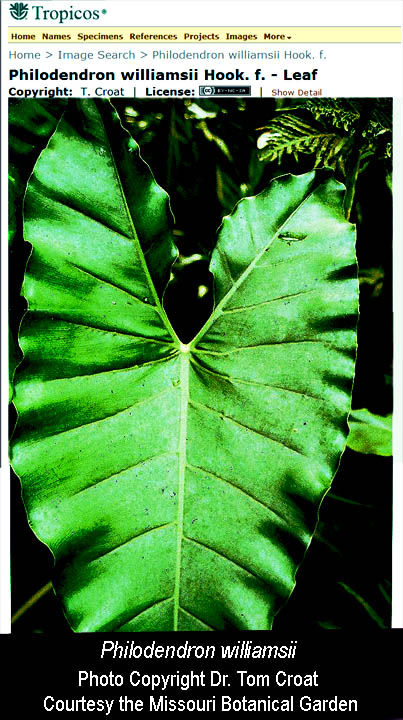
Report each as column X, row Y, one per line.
column 177, row 485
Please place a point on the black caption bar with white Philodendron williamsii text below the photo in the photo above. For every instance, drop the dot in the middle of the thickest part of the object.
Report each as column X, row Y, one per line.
column 332, row 674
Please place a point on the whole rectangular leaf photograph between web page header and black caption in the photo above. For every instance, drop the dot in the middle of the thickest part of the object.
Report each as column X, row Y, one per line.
column 181, row 397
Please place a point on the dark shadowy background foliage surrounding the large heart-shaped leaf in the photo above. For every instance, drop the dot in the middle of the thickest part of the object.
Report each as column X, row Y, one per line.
column 207, row 155
